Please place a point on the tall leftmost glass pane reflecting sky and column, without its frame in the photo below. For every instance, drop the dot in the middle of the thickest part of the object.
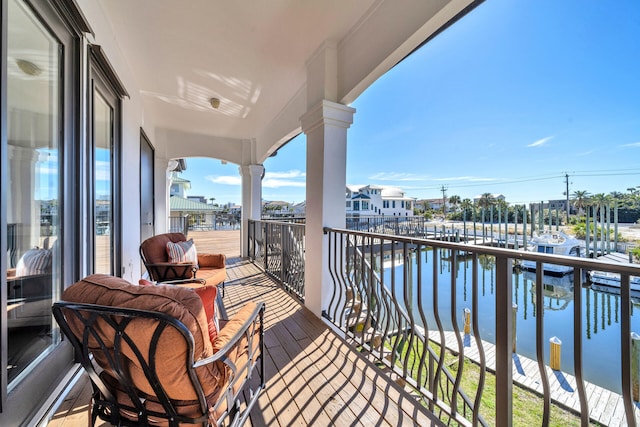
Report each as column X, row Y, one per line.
column 33, row 190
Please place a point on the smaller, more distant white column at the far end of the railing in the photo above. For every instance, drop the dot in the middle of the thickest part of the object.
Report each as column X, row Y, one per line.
column 251, row 200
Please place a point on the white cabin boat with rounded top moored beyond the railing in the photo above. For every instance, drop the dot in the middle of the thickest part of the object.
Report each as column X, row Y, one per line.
column 557, row 243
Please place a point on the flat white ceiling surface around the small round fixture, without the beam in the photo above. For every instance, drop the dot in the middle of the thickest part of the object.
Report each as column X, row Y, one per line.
column 250, row 54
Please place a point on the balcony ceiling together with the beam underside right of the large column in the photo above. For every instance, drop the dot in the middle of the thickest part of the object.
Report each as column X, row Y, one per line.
column 253, row 56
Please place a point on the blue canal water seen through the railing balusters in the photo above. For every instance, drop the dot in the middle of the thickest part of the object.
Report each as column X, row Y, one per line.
column 601, row 310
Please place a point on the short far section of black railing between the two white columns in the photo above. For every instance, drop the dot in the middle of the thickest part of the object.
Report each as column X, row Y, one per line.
column 278, row 247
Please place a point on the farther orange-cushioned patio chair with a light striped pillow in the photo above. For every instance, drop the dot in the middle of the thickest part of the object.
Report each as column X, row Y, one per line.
column 209, row 269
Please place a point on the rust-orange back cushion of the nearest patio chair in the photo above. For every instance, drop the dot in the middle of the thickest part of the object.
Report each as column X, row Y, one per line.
column 181, row 303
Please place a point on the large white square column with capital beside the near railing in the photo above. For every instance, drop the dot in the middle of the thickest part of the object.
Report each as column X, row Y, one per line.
column 325, row 126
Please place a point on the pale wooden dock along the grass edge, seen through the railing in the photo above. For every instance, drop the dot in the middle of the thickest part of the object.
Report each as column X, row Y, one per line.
column 605, row 406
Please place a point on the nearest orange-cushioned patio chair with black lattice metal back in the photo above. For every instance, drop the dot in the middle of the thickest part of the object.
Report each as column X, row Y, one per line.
column 151, row 358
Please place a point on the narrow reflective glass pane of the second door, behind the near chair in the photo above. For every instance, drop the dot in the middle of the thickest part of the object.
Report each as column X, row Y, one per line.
column 103, row 137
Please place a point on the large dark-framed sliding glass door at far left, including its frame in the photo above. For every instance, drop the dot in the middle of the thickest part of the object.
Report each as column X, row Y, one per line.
column 38, row 199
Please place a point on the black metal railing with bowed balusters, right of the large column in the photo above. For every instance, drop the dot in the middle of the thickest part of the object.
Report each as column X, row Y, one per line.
column 406, row 320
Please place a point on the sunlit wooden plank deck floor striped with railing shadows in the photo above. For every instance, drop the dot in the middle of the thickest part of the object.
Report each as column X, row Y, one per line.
column 313, row 377
